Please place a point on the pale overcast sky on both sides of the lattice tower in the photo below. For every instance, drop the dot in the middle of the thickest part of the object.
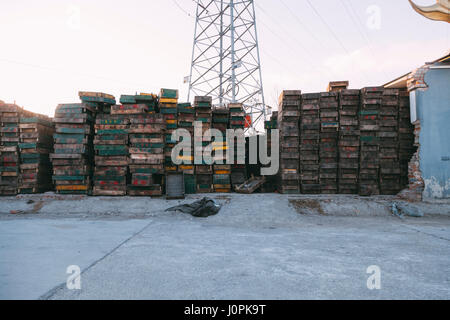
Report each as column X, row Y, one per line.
column 51, row 49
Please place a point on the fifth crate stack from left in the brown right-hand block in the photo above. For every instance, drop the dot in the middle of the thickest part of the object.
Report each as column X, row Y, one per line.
column 369, row 122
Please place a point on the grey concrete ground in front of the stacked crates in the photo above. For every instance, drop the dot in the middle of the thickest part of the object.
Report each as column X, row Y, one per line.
column 263, row 246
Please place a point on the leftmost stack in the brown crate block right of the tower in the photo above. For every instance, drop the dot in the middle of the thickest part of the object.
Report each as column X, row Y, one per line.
column 288, row 120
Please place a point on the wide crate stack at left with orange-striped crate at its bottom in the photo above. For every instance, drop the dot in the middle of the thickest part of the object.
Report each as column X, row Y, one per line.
column 73, row 155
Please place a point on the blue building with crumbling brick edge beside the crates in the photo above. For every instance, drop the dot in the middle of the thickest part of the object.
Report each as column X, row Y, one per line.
column 429, row 89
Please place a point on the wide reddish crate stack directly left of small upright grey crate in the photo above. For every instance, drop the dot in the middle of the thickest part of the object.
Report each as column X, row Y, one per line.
column 146, row 163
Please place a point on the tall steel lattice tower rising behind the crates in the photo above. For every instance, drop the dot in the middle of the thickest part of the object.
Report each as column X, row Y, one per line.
column 225, row 57
